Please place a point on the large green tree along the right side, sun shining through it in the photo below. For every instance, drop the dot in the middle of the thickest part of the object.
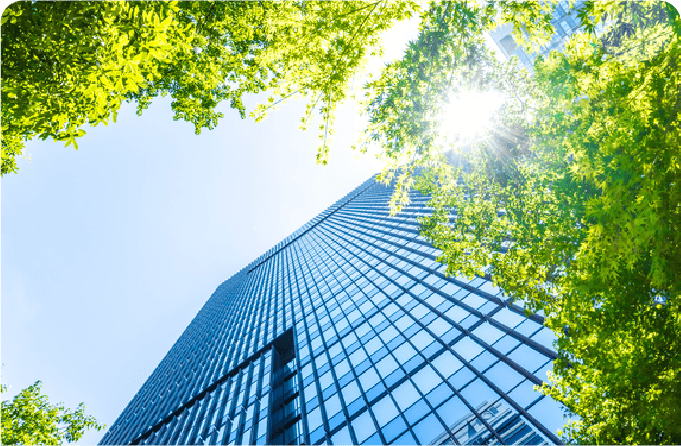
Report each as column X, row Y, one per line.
column 576, row 212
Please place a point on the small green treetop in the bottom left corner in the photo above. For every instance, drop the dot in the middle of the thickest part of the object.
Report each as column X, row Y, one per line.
column 31, row 420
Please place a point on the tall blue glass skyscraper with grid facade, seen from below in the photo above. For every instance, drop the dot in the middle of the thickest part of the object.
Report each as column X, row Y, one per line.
column 348, row 333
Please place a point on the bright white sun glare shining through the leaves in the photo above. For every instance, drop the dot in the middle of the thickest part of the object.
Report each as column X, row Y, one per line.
column 468, row 114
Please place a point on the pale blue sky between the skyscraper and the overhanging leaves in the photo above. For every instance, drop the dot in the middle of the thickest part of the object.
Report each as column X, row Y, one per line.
column 108, row 252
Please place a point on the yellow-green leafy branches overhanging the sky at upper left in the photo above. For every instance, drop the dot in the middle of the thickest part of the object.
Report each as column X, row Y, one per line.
column 64, row 64
